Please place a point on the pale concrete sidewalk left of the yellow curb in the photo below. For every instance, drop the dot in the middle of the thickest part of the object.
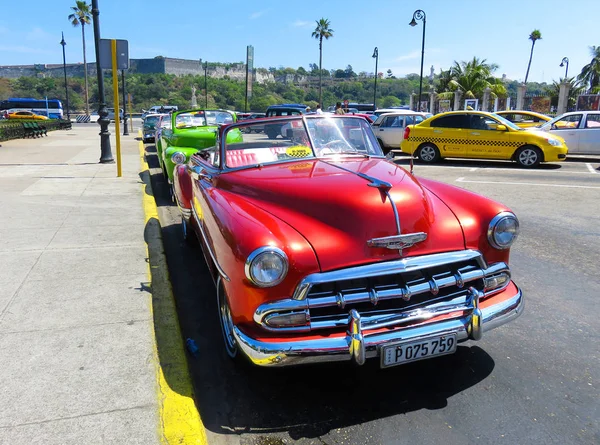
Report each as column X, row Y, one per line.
column 77, row 333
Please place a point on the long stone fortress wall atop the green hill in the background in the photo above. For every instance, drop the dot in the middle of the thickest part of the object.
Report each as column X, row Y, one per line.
column 157, row 65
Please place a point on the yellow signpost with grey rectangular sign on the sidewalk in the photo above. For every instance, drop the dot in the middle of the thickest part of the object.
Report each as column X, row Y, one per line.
column 114, row 55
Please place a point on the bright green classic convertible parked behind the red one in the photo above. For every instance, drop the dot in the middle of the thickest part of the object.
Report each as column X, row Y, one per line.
column 191, row 131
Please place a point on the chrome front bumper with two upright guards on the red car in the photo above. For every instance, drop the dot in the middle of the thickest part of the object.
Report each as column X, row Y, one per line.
column 358, row 345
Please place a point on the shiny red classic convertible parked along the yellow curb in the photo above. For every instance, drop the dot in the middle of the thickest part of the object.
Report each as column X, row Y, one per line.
column 322, row 249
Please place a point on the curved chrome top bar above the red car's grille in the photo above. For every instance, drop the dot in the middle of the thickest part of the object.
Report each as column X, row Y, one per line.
column 387, row 268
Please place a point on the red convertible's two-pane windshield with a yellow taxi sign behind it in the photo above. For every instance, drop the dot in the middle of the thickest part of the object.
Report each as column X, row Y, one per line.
column 292, row 139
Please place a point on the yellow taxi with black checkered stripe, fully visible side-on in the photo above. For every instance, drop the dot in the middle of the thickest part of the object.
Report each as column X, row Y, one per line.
column 480, row 135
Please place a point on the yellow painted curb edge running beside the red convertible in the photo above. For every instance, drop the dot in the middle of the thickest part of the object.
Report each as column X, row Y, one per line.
column 180, row 422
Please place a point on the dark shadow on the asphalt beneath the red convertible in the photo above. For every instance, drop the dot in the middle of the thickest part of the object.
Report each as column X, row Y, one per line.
column 306, row 402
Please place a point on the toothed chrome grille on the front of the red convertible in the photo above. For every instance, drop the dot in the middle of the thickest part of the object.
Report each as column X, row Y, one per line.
column 402, row 290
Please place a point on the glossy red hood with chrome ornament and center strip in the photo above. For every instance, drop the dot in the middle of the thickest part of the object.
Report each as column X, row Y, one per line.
column 338, row 212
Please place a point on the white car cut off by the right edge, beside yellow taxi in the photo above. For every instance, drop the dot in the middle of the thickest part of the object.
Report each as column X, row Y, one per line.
column 579, row 129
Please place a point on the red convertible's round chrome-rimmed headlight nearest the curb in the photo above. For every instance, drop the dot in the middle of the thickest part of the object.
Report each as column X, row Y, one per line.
column 267, row 266
